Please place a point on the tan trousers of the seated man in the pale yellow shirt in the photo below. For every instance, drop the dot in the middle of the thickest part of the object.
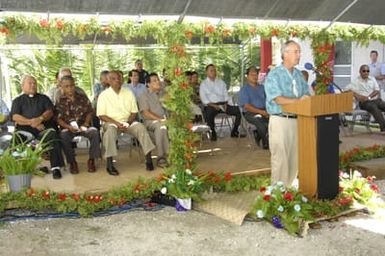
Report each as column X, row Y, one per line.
column 137, row 130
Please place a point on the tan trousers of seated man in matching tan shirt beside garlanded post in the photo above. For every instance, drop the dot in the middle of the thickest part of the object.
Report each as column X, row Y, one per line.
column 161, row 136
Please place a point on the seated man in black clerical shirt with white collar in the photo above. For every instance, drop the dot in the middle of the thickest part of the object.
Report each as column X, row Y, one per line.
column 32, row 113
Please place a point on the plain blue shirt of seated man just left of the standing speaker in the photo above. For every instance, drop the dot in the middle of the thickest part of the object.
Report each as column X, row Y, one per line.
column 253, row 95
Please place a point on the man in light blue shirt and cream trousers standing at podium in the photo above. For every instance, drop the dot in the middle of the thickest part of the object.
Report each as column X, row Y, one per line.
column 285, row 84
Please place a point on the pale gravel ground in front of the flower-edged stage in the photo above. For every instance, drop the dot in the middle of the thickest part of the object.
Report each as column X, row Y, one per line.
column 168, row 232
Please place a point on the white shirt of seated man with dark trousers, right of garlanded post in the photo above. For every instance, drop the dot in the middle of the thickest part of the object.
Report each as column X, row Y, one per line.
column 213, row 91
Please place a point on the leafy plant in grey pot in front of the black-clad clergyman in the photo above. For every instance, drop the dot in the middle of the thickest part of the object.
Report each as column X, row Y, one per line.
column 19, row 161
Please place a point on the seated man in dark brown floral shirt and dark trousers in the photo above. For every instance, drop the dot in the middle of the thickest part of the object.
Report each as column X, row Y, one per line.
column 74, row 116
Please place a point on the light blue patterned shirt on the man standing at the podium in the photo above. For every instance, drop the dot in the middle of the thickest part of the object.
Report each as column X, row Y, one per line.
column 280, row 82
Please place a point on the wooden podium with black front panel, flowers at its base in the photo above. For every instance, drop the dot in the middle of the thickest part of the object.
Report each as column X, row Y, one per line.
column 318, row 142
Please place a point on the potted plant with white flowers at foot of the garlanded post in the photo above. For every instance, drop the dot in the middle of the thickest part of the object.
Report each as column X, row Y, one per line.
column 184, row 186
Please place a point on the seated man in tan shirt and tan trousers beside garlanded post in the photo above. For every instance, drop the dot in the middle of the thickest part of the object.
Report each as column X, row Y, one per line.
column 154, row 117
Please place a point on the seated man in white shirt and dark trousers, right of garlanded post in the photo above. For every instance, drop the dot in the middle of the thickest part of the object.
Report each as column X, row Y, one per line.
column 213, row 93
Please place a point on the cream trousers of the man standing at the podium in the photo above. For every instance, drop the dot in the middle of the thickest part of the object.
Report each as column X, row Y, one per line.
column 284, row 149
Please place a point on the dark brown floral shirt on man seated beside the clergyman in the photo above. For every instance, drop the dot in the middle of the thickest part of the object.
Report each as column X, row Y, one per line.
column 76, row 110
